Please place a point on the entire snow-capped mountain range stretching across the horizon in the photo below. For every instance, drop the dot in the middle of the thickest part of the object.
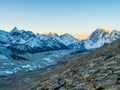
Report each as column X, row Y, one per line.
column 26, row 41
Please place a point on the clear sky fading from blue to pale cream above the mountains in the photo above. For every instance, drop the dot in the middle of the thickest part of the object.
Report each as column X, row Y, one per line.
column 60, row 16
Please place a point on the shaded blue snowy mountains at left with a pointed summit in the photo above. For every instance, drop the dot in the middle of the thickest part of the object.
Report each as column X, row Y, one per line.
column 27, row 41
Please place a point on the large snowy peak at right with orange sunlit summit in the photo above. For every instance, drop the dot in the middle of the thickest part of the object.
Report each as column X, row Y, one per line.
column 98, row 38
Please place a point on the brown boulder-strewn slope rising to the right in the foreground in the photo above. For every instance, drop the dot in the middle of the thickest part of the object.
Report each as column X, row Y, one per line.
column 99, row 70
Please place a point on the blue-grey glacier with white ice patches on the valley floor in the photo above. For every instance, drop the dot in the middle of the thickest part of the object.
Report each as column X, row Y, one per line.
column 34, row 62
